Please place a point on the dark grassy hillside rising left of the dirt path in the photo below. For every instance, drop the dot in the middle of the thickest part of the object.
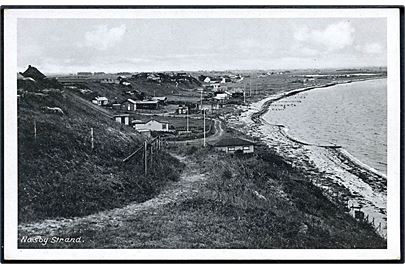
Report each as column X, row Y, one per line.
column 60, row 175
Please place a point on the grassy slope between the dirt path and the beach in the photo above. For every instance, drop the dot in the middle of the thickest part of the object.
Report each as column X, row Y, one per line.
column 255, row 202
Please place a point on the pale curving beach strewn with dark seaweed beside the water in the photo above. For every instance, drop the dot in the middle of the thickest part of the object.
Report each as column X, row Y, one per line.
column 363, row 185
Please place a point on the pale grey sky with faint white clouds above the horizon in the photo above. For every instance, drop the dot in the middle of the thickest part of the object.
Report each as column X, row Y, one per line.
column 111, row 45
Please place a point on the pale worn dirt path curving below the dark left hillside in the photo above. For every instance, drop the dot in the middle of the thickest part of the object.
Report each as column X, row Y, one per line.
column 190, row 180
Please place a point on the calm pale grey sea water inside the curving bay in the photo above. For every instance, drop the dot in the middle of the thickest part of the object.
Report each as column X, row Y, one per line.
column 352, row 115
